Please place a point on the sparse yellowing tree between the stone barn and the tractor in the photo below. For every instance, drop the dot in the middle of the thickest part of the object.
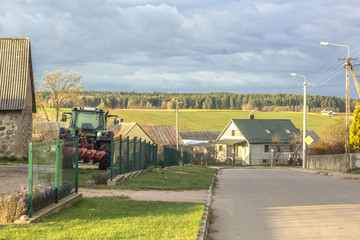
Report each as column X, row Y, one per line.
column 62, row 87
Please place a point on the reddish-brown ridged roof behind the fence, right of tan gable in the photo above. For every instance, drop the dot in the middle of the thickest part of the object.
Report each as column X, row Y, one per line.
column 163, row 135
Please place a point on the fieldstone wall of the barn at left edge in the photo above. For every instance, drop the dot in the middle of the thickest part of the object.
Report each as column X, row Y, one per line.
column 10, row 133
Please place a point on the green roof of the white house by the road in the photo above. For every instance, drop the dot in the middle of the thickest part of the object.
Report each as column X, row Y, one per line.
column 264, row 130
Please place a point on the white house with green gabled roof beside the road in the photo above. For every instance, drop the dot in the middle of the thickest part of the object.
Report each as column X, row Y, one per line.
column 255, row 141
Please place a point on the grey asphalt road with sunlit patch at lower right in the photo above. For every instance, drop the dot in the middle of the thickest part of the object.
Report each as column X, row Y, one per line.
column 283, row 204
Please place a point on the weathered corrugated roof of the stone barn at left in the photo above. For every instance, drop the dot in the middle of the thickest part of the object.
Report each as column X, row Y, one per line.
column 15, row 72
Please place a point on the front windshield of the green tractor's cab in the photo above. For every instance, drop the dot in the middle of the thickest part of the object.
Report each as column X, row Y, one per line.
column 88, row 120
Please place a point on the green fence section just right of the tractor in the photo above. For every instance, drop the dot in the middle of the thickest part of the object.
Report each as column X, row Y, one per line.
column 131, row 155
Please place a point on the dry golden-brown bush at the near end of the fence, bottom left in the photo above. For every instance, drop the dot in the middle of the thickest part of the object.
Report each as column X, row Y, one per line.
column 13, row 205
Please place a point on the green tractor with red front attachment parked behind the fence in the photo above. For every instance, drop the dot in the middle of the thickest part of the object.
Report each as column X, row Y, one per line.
column 94, row 141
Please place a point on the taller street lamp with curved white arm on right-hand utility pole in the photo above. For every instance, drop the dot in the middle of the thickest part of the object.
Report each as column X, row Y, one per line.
column 347, row 100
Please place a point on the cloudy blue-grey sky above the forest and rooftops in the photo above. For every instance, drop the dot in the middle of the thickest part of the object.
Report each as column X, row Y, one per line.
column 191, row 46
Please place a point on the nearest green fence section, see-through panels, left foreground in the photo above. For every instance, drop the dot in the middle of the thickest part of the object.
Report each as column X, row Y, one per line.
column 53, row 172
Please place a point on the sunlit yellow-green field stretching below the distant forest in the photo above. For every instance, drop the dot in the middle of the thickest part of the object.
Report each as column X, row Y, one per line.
column 196, row 120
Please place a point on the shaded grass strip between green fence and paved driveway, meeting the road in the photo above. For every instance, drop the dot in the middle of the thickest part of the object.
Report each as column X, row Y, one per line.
column 177, row 178
